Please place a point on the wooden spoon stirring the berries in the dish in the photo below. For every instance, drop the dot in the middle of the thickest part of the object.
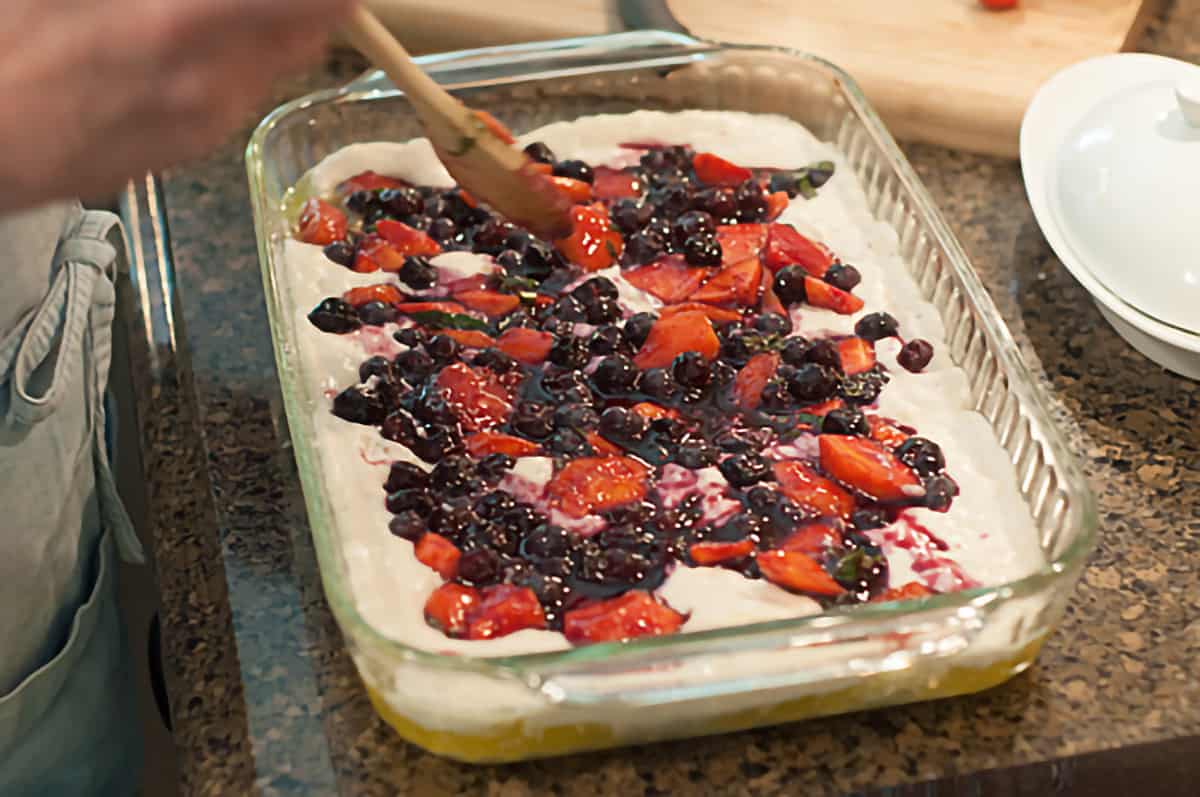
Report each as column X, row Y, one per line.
column 477, row 151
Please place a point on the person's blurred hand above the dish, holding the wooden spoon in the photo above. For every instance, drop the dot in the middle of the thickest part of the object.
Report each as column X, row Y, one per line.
column 95, row 93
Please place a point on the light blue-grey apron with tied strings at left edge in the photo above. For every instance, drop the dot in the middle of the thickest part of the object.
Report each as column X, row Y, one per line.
column 69, row 723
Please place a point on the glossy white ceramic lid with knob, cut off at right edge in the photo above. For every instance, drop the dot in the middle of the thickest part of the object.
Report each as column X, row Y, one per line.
column 1124, row 188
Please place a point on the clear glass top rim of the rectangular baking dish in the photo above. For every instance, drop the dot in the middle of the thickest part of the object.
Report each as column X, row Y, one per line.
column 868, row 615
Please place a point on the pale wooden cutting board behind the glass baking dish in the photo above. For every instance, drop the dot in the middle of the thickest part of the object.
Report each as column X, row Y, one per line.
column 943, row 71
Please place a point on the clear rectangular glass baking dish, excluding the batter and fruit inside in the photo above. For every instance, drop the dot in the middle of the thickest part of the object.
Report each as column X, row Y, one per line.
column 529, row 706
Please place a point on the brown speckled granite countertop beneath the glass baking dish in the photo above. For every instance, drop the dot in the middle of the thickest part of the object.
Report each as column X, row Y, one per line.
column 267, row 702
